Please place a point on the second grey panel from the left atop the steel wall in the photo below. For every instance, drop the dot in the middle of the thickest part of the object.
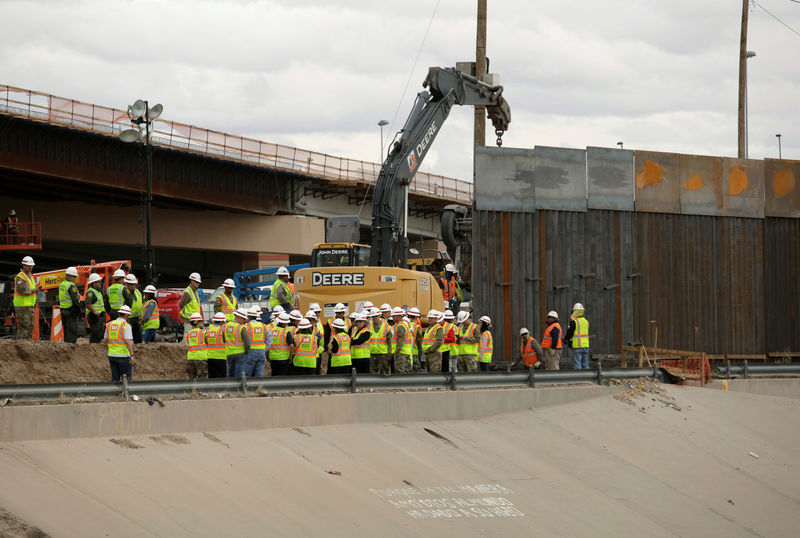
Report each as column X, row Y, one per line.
column 560, row 177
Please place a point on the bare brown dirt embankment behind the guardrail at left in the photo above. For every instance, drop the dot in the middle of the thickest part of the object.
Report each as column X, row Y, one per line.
column 24, row 361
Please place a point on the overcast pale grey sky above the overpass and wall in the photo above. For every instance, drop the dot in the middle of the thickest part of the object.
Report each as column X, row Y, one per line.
column 319, row 74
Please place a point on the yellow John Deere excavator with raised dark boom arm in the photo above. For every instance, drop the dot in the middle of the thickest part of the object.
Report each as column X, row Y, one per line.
column 351, row 273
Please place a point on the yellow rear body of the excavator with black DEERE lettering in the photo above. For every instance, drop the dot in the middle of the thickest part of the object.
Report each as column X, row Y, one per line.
column 355, row 285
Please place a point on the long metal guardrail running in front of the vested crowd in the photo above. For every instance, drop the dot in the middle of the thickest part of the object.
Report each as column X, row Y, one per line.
column 329, row 383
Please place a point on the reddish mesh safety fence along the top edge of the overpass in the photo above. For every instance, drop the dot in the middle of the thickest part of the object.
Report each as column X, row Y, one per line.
column 108, row 121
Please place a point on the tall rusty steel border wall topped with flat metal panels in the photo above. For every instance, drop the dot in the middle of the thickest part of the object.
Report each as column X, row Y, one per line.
column 679, row 251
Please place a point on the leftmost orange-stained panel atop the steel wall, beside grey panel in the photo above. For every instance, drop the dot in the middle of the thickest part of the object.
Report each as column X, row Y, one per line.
column 657, row 182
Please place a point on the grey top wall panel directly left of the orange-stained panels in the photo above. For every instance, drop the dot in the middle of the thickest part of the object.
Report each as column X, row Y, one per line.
column 609, row 175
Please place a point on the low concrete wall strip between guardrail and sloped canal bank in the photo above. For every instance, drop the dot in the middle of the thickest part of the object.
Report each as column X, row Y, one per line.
column 41, row 422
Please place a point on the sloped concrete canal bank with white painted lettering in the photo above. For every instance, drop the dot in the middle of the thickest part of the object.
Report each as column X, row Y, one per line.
column 651, row 461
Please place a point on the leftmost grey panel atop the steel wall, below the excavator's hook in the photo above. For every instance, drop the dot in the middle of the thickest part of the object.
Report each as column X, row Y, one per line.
column 504, row 179
